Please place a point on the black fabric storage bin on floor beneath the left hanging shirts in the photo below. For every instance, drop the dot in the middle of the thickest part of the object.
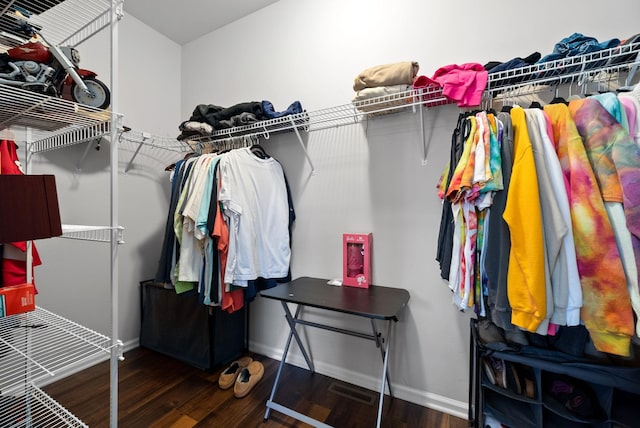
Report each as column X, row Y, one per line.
column 179, row 326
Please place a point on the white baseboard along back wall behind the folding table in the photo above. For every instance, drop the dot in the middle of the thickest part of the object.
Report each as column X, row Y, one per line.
column 422, row 398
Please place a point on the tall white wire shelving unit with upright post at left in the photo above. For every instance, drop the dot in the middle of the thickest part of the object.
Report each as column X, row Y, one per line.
column 38, row 345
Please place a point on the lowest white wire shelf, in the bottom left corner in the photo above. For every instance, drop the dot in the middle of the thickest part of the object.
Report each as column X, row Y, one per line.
column 35, row 408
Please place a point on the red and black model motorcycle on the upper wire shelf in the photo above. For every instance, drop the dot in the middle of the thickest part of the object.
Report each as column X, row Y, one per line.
column 39, row 66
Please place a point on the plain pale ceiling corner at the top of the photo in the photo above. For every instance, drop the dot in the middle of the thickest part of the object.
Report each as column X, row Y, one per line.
column 185, row 20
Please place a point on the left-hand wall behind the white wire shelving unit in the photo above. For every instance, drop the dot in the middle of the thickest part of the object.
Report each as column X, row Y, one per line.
column 74, row 280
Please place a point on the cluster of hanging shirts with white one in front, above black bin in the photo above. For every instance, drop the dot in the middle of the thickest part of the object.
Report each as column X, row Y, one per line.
column 205, row 239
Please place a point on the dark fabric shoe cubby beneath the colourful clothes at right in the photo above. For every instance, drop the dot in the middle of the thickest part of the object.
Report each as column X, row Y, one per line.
column 563, row 392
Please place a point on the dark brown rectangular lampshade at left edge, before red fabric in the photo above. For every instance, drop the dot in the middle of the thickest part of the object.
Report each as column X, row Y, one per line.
column 29, row 208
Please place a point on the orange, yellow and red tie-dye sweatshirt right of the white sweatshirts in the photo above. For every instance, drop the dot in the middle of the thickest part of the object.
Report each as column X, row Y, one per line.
column 606, row 311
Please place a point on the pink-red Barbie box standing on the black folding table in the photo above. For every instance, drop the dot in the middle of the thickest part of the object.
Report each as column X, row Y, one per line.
column 356, row 264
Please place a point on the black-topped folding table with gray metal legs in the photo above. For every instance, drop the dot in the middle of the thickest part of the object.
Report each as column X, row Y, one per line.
column 375, row 303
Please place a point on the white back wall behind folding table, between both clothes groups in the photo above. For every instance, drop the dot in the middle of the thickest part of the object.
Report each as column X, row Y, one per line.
column 369, row 176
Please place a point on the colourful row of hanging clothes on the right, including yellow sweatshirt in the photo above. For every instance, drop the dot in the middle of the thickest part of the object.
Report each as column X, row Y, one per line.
column 559, row 243
